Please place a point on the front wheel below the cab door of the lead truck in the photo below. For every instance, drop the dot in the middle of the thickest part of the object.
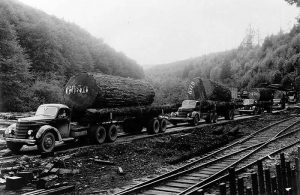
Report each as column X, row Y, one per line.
column 47, row 142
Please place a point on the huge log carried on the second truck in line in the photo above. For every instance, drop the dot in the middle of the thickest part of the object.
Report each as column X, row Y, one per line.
column 204, row 89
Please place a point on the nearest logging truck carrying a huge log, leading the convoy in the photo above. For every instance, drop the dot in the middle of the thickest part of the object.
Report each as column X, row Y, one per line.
column 96, row 106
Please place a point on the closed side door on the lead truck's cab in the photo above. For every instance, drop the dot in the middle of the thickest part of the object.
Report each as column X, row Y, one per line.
column 63, row 122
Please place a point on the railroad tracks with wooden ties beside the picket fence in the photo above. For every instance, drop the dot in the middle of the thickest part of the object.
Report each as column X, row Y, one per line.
column 241, row 154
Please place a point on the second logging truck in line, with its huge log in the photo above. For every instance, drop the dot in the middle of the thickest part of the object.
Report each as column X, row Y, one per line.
column 207, row 100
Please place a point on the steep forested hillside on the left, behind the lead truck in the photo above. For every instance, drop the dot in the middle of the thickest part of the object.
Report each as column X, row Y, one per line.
column 39, row 53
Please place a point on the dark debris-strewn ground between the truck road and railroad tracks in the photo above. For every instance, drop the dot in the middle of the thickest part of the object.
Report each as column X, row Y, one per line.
column 143, row 159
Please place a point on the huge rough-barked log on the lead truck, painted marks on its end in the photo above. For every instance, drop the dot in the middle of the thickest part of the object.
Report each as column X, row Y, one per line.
column 106, row 91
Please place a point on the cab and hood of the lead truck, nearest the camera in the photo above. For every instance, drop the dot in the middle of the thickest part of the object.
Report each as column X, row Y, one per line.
column 50, row 123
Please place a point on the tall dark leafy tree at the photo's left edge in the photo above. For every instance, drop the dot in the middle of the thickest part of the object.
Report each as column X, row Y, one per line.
column 14, row 75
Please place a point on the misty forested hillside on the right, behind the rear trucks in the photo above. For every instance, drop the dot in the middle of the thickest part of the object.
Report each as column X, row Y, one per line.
column 276, row 60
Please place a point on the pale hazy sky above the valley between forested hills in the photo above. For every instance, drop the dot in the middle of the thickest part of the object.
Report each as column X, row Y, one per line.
column 161, row 31
